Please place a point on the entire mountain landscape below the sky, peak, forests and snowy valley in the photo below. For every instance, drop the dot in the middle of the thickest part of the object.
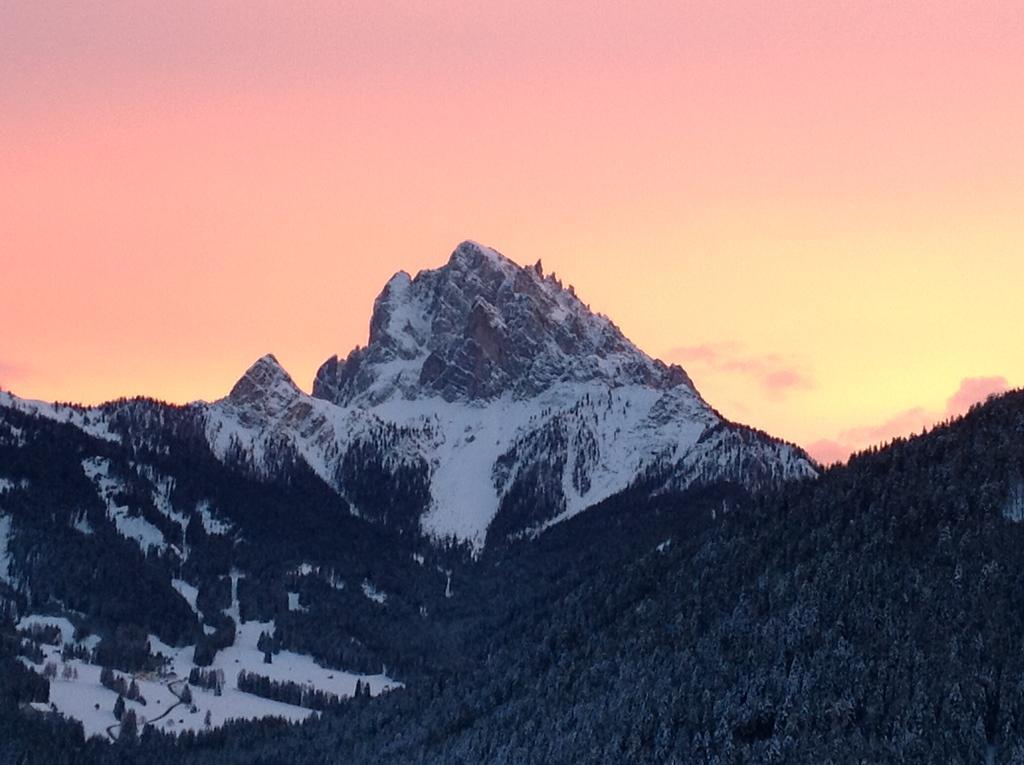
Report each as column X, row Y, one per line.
column 500, row 533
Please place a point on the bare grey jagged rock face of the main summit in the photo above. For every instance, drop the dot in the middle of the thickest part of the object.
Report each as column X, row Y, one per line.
column 480, row 328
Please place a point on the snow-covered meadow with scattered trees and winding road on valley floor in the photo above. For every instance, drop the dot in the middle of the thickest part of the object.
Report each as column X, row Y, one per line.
column 79, row 695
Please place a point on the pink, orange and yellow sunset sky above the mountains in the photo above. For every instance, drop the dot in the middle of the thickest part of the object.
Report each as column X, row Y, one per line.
column 817, row 208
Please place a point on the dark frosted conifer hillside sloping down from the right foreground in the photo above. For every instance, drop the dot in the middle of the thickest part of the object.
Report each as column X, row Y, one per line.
column 873, row 616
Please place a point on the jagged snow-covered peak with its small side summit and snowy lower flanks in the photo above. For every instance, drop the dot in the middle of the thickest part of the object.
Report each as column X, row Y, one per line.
column 491, row 403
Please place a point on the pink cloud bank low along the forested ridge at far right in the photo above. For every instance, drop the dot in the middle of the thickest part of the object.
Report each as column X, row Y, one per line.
column 909, row 422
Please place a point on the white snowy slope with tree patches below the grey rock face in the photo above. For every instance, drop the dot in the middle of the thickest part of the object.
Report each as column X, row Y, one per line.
column 475, row 452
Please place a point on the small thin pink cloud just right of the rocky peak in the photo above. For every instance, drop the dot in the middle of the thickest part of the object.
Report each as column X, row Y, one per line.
column 776, row 375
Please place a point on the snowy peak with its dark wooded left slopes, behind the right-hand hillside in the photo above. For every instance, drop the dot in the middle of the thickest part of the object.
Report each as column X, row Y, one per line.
column 291, row 535
